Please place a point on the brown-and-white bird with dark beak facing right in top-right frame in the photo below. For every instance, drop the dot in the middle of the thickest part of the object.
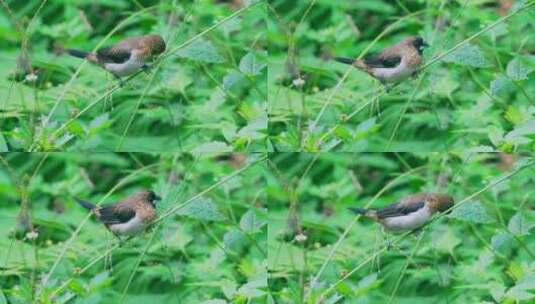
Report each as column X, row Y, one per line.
column 394, row 63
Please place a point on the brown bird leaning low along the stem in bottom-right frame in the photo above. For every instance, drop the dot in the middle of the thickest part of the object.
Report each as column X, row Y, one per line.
column 410, row 213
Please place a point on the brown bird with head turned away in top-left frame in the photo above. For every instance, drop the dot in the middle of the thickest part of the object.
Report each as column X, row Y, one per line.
column 125, row 57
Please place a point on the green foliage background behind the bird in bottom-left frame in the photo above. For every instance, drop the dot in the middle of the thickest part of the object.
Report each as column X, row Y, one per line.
column 212, row 250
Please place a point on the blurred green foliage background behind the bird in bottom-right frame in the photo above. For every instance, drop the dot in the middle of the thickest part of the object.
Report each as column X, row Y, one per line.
column 481, row 252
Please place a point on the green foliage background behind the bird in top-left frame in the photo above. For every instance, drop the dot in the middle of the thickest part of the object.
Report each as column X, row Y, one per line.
column 222, row 72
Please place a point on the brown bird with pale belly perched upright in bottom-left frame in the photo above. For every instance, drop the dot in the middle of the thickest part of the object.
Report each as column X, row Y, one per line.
column 127, row 217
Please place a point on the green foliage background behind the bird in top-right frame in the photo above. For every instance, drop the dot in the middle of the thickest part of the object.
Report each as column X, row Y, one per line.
column 480, row 97
